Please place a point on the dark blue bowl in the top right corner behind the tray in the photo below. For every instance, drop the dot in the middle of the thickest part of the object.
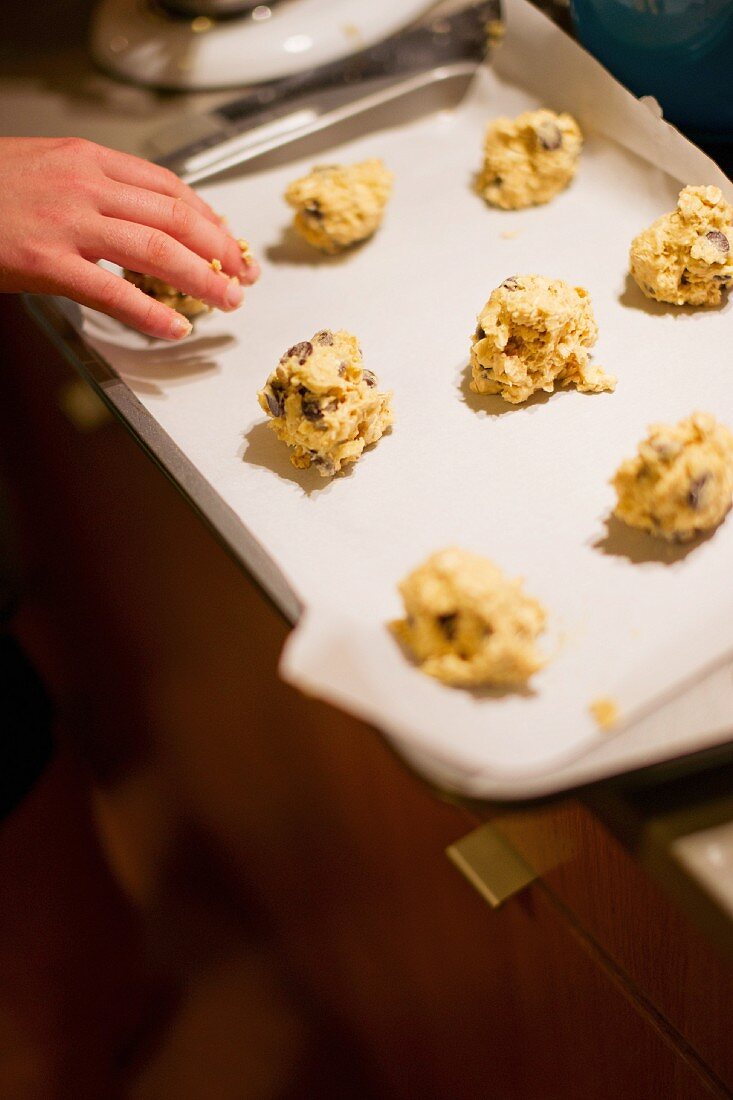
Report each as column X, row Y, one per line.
column 679, row 51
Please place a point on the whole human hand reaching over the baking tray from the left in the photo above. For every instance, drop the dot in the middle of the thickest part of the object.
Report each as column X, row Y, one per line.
column 68, row 203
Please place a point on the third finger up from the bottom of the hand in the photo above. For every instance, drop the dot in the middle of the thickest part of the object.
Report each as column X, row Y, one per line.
column 181, row 222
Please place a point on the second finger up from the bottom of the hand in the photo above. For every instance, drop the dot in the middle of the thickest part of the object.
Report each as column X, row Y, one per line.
column 154, row 252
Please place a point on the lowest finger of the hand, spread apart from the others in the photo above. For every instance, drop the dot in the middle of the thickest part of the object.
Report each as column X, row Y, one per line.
column 111, row 294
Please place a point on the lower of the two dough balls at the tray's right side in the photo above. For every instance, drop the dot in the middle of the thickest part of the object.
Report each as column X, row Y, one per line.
column 682, row 481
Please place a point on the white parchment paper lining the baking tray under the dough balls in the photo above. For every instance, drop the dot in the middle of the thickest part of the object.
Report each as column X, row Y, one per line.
column 527, row 487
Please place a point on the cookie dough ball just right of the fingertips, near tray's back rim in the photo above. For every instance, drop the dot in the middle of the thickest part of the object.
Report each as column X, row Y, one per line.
column 337, row 206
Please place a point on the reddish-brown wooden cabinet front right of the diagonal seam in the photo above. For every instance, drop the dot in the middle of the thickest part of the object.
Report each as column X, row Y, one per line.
column 633, row 925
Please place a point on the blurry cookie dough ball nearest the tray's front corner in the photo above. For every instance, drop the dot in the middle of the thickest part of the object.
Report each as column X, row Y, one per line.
column 468, row 624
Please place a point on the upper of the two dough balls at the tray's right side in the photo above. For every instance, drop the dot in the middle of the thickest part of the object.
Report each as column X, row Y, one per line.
column 686, row 258
